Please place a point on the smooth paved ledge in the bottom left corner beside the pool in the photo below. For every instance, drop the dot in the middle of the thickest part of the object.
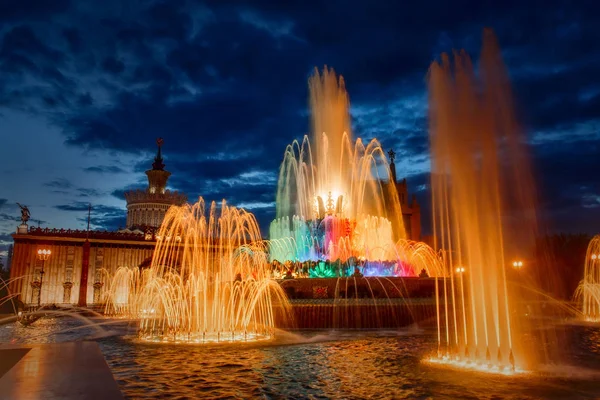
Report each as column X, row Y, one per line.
column 74, row 370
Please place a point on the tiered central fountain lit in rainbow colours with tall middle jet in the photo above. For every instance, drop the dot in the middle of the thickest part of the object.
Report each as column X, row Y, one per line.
column 336, row 199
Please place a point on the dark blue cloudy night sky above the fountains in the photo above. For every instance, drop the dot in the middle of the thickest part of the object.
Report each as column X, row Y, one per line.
column 87, row 87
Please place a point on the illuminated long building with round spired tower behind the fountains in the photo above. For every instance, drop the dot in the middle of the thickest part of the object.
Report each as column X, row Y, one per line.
column 80, row 261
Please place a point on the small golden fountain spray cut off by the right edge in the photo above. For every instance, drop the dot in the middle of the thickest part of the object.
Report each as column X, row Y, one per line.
column 589, row 288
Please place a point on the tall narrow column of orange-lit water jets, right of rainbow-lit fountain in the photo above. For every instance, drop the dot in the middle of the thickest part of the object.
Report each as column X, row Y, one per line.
column 480, row 174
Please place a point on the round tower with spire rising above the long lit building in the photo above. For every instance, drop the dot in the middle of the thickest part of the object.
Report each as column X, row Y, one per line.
column 146, row 209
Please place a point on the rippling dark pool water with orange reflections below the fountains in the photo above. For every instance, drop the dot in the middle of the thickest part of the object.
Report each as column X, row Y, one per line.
column 340, row 365
